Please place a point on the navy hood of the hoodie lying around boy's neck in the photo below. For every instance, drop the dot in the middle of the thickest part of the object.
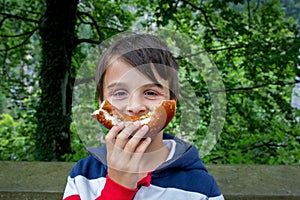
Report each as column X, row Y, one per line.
column 186, row 156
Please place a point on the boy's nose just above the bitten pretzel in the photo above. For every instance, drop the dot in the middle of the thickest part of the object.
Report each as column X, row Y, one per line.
column 136, row 106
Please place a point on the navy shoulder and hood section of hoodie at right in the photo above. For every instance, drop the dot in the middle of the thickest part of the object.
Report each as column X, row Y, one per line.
column 187, row 172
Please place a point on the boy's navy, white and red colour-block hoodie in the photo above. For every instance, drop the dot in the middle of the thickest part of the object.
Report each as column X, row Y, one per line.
column 182, row 177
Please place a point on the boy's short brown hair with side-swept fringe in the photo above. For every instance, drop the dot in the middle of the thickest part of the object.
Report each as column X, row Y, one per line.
column 142, row 51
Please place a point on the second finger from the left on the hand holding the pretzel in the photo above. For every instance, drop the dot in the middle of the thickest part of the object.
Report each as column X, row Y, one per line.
column 123, row 137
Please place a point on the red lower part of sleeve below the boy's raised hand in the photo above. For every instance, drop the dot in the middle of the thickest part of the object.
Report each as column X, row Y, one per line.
column 119, row 192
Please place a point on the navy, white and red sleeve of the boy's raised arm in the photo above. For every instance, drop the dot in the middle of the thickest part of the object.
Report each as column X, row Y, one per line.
column 85, row 182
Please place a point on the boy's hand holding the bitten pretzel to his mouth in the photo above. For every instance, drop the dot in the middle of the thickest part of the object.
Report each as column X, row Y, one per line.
column 125, row 149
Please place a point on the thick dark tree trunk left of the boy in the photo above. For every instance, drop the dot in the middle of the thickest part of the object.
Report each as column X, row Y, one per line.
column 58, row 36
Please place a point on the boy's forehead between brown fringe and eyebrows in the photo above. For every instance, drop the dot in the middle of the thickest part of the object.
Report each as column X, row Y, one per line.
column 121, row 72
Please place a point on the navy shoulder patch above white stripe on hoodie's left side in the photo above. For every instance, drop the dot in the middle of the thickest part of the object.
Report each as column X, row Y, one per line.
column 88, row 167
